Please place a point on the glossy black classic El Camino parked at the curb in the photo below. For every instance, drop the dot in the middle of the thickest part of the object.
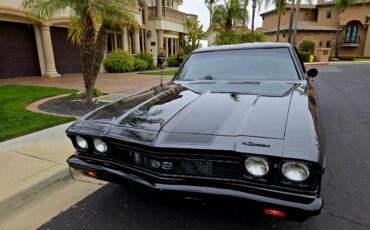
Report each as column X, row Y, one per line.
column 237, row 121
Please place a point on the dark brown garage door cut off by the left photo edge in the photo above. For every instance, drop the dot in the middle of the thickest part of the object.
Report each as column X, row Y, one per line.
column 18, row 51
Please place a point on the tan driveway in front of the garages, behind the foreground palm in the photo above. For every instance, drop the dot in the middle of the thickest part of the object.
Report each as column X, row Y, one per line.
column 107, row 82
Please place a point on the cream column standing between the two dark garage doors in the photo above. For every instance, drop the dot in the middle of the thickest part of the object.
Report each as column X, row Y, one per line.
column 47, row 47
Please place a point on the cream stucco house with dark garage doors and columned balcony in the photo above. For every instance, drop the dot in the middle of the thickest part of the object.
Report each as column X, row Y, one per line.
column 43, row 49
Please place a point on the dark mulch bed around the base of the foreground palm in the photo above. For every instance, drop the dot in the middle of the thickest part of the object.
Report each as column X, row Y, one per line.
column 68, row 105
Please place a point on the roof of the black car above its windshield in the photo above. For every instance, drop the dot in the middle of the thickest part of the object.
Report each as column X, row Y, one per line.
column 253, row 45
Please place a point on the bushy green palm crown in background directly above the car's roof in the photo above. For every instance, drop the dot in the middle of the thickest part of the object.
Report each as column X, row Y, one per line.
column 228, row 14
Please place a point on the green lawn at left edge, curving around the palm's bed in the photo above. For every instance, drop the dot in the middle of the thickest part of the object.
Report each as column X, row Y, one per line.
column 15, row 120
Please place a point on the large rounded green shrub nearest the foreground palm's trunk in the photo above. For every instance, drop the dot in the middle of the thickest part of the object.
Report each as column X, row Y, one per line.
column 119, row 61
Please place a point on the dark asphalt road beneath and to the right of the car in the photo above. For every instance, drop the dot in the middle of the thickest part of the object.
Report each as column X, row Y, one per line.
column 344, row 106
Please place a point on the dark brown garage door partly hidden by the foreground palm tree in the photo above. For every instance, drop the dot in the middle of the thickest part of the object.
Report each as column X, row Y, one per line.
column 66, row 55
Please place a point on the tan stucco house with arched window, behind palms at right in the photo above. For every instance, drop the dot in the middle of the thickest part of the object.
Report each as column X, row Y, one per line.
column 318, row 23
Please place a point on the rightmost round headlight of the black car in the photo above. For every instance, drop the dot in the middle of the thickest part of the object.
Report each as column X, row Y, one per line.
column 295, row 171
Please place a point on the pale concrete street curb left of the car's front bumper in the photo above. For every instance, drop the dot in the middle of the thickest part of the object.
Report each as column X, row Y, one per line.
column 32, row 190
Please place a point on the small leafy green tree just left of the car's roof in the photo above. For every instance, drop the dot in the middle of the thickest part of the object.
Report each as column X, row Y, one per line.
column 195, row 33
